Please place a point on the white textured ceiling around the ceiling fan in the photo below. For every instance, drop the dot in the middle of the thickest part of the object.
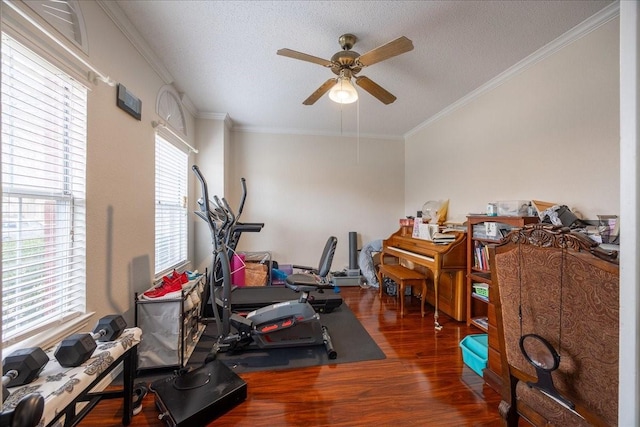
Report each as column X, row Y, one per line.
column 222, row 55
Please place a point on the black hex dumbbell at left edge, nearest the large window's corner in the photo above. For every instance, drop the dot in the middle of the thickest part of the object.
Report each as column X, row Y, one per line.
column 21, row 367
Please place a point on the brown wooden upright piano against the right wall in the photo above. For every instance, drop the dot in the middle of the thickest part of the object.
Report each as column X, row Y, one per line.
column 444, row 265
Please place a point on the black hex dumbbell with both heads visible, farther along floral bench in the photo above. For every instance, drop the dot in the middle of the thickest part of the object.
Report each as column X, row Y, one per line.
column 76, row 349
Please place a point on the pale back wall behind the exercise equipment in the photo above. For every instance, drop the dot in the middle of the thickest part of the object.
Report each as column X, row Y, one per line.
column 306, row 188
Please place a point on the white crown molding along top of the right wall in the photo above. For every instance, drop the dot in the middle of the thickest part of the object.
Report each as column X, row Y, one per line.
column 590, row 24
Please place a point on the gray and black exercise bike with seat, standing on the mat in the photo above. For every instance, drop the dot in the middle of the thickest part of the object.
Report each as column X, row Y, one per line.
column 292, row 323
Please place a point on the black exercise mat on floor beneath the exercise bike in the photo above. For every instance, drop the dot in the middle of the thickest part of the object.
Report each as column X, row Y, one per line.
column 351, row 341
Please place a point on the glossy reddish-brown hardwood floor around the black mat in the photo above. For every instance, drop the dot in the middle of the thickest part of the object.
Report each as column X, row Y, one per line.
column 422, row 381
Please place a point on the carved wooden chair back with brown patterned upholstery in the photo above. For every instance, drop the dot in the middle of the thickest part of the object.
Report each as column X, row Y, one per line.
column 561, row 286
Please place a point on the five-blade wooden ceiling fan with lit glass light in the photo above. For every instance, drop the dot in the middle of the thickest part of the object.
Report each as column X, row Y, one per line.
column 347, row 64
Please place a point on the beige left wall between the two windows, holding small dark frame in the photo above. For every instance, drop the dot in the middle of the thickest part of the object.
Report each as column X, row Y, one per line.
column 120, row 172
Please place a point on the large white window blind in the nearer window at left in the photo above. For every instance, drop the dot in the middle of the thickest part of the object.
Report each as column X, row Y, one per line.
column 43, row 194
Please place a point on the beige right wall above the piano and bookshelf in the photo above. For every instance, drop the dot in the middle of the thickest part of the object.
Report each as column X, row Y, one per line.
column 550, row 133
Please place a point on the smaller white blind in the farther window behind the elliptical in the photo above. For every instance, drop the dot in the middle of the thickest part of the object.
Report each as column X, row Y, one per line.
column 171, row 206
